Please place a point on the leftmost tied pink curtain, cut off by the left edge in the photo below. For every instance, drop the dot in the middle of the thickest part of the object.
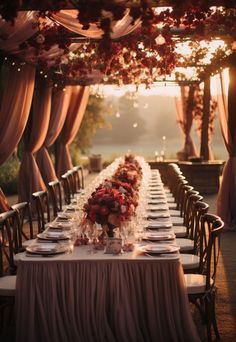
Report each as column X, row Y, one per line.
column 14, row 112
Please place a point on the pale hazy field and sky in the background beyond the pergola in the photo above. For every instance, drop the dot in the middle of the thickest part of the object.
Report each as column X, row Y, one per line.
column 139, row 125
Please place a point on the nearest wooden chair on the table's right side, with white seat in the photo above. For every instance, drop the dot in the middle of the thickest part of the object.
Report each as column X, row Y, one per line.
column 201, row 287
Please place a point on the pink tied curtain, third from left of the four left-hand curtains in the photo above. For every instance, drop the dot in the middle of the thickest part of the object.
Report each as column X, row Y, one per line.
column 60, row 105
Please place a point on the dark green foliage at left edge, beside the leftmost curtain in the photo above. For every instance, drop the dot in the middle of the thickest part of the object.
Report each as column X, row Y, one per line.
column 9, row 175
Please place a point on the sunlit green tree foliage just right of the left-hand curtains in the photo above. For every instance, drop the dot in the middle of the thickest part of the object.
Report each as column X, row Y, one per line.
column 94, row 119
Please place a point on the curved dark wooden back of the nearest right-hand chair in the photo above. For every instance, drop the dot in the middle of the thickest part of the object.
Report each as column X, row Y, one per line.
column 211, row 229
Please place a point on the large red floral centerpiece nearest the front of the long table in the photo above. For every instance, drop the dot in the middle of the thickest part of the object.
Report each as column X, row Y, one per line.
column 109, row 205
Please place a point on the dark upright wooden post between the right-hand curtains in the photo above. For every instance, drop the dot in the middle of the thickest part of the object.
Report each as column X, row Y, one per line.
column 204, row 151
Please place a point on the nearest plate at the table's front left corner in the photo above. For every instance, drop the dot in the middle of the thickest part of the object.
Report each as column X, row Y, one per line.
column 46, row 248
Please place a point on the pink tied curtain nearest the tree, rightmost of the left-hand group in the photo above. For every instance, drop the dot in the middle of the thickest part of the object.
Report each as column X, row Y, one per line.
column 78, row 103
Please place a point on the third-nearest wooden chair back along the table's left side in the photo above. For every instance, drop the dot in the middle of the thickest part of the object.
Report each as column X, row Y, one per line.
column 42, row 205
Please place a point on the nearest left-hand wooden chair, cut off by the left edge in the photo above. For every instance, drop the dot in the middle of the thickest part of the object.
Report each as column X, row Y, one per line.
column 8, row 246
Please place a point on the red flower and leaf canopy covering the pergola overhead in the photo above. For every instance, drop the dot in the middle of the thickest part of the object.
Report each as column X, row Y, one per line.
column 146, row 55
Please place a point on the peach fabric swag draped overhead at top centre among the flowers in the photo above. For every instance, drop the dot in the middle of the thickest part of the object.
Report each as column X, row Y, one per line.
column 69, row 19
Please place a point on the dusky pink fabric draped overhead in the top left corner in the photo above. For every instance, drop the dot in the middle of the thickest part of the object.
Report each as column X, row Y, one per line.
column 11, row 36
